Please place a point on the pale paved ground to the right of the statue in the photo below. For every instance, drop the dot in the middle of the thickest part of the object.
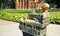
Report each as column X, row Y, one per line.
column 53, row 30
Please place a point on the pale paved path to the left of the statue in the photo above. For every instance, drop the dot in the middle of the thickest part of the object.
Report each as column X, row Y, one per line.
column 9, row 29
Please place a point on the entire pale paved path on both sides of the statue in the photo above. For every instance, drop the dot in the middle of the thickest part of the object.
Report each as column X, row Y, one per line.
column 8, row 28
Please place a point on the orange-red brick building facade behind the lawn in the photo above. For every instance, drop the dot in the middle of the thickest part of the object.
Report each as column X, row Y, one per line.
column 25, row 4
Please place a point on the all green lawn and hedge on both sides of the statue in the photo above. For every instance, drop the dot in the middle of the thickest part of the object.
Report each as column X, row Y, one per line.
column 15, row 15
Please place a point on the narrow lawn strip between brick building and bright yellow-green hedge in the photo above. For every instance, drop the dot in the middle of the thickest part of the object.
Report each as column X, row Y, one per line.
column 17, row 10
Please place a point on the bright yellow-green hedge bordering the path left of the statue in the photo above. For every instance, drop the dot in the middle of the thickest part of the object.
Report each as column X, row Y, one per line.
column 12, row 16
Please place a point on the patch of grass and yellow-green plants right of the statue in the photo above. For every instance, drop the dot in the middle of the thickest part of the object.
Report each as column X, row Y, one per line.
column 55, row 17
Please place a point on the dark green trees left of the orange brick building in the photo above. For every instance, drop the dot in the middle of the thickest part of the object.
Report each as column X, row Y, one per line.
column 7, row 4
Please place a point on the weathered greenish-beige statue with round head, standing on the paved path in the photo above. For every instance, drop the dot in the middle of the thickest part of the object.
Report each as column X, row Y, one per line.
column 36, row 24
